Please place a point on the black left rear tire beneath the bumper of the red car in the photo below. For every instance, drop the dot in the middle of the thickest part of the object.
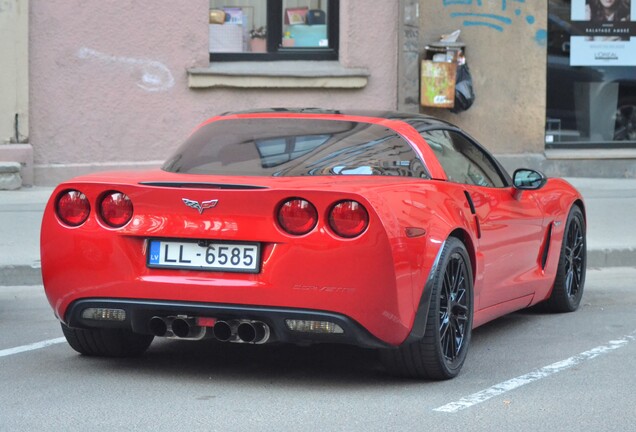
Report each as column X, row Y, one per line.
column 106, row 342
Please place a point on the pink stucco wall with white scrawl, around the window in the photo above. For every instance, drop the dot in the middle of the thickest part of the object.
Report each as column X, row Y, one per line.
column 109, row 79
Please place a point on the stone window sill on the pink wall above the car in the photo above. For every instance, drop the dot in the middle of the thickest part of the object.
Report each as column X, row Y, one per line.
column 279, row 74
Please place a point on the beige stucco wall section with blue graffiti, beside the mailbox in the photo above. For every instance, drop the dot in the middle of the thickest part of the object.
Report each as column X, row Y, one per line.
column 507, row 57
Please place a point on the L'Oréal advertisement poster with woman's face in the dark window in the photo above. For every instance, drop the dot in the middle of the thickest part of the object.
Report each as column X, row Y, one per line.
column 605, row 33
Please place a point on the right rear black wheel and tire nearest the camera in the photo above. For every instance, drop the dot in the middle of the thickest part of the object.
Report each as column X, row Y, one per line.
column 441, row 352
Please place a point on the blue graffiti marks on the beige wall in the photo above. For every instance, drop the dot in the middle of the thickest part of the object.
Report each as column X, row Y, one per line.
column 493, row 21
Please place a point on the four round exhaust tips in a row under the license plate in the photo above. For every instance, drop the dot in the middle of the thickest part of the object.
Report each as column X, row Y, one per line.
column 236, row 331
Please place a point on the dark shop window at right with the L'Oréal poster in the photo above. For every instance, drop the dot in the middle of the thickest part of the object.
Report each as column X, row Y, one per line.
column 591, row 77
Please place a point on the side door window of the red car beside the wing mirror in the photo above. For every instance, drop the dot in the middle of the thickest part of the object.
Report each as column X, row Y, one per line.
column 463, row 161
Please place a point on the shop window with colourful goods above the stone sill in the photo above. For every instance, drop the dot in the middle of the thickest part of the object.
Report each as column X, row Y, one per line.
column 273, row 30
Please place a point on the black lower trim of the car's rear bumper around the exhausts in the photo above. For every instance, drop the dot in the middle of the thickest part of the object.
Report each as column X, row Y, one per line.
column 139, row 313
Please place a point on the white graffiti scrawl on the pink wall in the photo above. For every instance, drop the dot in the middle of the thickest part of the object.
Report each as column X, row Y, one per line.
column 154, row 76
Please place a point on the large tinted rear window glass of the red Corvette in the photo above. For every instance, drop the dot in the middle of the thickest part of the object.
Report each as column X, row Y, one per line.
column 295, row 147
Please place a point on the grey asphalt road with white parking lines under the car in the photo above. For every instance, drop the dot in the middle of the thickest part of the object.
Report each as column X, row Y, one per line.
column 525, row 372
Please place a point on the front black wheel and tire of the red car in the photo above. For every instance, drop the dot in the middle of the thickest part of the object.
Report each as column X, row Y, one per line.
column 570, row 278
